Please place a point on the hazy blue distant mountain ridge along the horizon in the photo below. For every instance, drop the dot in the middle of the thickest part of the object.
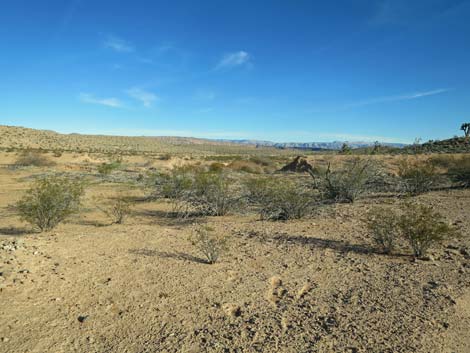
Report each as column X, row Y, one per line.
column 334, row 145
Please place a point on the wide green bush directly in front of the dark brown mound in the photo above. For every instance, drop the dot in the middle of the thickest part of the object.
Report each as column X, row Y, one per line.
column 279, row 200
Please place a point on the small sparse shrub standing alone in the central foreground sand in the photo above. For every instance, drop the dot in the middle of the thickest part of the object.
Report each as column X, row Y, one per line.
column 211, row 245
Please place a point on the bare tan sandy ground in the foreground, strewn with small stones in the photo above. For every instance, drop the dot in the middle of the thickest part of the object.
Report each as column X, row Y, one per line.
column 314, row 285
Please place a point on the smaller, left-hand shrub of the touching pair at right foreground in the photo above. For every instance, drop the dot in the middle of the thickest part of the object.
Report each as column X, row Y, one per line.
column 383, row 225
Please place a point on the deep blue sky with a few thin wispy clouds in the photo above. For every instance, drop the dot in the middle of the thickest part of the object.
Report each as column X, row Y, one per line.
column 293, row 70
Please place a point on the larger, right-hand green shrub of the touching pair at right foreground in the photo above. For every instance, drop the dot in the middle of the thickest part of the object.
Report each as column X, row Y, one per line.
column 423, row 227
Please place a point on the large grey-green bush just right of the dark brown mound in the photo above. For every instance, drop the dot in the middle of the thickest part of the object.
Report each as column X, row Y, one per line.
column 348, row 183
